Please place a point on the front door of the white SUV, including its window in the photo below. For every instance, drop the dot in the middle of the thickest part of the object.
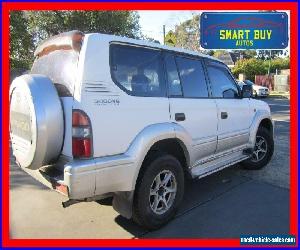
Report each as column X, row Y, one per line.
column 234, row 116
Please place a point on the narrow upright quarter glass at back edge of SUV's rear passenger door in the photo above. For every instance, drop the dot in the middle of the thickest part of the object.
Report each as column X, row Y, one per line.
column 172, row 76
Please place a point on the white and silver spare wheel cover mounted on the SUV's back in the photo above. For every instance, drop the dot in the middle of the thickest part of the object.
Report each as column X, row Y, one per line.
column 36, row 121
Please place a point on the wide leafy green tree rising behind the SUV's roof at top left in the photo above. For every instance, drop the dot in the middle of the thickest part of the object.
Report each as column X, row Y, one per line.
column 48, row 23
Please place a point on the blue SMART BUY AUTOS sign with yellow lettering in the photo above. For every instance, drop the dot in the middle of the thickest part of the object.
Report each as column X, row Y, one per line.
column 244, row 30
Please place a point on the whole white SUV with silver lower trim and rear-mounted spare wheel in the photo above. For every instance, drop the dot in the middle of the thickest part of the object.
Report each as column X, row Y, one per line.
column 102, row 115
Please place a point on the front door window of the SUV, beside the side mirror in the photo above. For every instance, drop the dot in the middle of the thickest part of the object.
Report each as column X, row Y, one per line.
column 222, row 83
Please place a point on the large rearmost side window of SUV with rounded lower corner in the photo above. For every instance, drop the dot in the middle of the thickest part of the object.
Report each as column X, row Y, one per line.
column 137, row 70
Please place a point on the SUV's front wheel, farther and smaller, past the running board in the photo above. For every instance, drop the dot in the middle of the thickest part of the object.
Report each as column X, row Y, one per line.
column 259, row 159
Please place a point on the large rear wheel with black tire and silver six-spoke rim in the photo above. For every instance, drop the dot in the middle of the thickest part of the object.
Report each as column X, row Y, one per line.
column 147, row 212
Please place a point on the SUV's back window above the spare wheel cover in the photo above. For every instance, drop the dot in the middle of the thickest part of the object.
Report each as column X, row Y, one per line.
column 61, row 67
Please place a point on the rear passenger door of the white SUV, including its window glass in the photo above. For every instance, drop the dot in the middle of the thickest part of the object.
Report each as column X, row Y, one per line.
column 190, row 105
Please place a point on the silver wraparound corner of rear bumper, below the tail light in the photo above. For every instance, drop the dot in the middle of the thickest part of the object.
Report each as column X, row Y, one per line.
column 98, row 176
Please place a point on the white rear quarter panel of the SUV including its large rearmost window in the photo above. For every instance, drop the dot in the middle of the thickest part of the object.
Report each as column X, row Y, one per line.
column 123, row 93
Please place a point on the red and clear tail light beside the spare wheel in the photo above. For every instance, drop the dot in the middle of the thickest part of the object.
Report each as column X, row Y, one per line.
column 81, row 135
